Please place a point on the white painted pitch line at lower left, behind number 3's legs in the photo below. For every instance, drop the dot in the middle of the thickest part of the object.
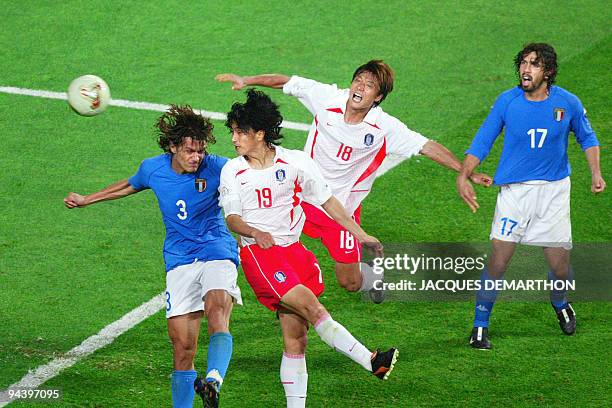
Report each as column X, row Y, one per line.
column 103, row 338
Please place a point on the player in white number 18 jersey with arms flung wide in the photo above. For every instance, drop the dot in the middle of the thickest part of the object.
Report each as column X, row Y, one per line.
column 349, row 138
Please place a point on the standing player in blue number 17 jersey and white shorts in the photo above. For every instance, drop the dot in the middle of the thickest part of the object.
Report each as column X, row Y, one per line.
column 533, row 204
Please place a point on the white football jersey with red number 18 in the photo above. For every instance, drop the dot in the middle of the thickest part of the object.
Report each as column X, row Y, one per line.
column 349, row 155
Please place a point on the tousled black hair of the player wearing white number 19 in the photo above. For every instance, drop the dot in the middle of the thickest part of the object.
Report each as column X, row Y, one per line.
column 259, row 112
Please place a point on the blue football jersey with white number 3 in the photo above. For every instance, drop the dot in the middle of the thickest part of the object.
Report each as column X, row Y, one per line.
column 195, row 228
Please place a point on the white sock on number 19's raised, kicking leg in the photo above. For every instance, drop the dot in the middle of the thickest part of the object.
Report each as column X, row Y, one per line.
column 337, row 337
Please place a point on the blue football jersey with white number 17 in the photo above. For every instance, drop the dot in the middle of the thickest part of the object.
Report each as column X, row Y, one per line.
column 536, row 135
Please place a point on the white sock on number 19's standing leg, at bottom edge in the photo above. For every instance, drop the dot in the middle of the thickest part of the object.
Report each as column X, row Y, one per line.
column 294, row 378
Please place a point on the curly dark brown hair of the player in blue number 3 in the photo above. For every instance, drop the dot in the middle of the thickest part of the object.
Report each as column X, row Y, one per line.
column 180, row 122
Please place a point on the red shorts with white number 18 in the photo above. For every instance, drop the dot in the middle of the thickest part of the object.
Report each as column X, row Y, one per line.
column 341, row 244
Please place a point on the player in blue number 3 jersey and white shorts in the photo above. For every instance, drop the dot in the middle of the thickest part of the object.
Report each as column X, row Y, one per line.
column 199, row 252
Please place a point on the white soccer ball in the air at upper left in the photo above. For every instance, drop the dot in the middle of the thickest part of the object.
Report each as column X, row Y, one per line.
column 88, row 95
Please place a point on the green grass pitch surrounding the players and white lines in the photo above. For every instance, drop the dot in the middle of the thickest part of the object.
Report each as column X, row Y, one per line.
column 64, row 275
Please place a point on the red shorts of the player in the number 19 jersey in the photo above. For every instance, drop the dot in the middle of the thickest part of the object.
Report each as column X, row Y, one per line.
column 274, row 271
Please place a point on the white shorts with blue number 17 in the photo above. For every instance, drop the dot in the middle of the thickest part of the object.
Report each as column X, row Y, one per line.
column 534, row 213
